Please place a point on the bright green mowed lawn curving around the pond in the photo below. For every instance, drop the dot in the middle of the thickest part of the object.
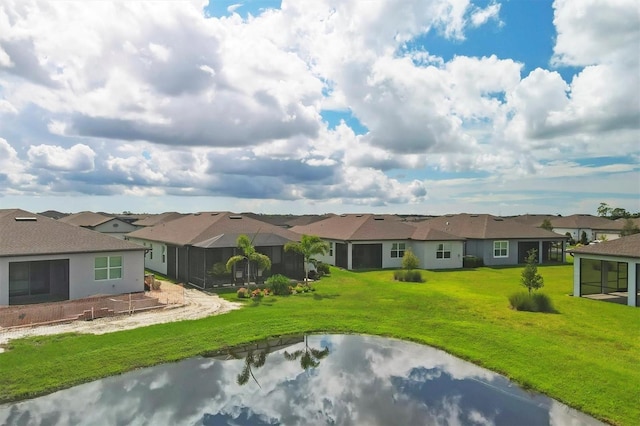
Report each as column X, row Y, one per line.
column 587, row 355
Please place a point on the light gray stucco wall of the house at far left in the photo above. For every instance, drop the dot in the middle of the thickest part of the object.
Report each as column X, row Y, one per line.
column 82, row 282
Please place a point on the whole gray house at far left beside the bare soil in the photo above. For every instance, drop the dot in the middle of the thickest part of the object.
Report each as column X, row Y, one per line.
column 45, row 260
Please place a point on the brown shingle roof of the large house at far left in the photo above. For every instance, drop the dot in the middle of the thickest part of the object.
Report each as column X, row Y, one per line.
column 49, row 236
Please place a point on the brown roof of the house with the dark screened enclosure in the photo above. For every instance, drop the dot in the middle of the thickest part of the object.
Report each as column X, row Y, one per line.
column 215, row 229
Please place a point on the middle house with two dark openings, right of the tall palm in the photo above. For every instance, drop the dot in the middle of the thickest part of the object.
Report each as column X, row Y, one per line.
column 361, row 241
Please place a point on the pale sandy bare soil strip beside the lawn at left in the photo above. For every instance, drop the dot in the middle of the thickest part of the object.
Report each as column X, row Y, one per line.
column 197, row 304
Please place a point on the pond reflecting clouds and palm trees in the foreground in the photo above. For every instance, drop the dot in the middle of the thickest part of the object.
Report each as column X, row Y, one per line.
column 314, row 380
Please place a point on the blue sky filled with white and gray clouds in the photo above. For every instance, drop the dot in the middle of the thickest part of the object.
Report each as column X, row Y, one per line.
column 408, row 106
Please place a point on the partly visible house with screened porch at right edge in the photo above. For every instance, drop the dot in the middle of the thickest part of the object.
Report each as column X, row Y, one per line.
column 608, row 270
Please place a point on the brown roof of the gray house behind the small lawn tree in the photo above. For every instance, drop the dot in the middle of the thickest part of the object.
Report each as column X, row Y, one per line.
column 486, row 226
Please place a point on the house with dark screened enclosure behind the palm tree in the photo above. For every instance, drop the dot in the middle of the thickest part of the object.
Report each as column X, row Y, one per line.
column 188, row 247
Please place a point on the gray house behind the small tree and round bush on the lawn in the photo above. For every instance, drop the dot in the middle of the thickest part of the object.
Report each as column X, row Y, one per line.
column 498, row 241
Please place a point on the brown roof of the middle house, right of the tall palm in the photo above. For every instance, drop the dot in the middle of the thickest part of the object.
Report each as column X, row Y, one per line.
column 369, row 227
